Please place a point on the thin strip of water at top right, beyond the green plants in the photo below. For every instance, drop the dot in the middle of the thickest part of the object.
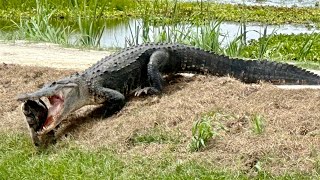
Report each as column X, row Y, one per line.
column 283, row 3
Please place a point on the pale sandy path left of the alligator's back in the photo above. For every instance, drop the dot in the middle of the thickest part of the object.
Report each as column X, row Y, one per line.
column 48, row 55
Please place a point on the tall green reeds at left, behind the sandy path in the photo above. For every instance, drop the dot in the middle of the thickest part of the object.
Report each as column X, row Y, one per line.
column 41, row 27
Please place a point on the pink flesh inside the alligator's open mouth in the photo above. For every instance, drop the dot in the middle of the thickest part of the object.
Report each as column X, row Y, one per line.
column 56, row 103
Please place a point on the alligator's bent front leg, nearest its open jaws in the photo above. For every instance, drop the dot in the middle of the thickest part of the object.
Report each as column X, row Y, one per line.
column 112, row 100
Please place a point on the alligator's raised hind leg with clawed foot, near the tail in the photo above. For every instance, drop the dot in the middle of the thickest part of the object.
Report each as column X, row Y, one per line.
column 158, row 59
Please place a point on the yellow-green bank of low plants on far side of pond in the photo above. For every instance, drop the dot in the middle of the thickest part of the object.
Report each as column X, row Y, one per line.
column 160, row 11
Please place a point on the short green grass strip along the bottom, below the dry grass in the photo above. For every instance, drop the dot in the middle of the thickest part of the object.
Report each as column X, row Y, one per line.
column 20, row 160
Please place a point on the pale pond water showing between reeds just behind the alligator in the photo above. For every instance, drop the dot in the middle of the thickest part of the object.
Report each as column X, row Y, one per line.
column 117, row 35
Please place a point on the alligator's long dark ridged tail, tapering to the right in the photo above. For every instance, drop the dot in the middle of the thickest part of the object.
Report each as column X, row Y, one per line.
column 252, row 71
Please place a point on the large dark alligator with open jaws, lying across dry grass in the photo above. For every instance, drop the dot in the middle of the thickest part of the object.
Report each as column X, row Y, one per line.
column 139, row 70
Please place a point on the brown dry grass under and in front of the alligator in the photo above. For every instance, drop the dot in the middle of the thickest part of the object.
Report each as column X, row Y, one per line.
column 290, row 141
